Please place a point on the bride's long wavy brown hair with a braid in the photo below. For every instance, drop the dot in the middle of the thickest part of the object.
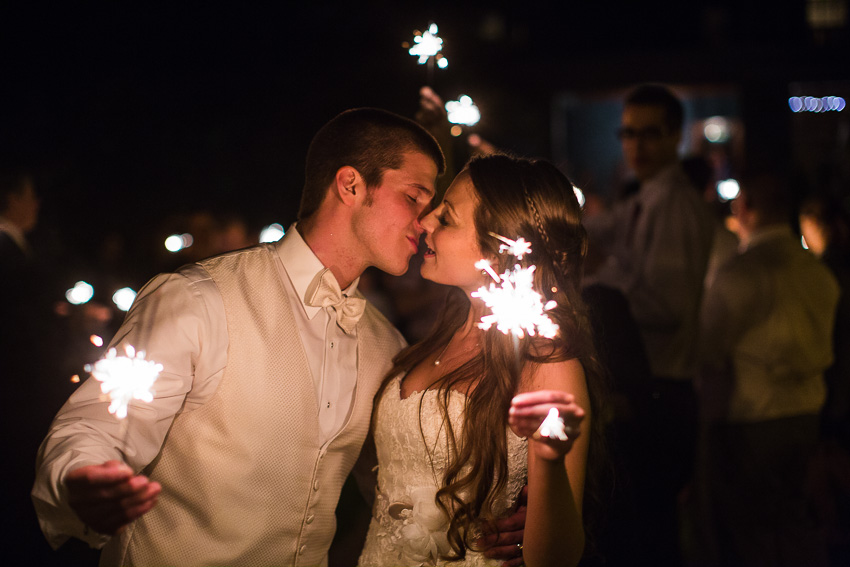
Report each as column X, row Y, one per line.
column 524, row 198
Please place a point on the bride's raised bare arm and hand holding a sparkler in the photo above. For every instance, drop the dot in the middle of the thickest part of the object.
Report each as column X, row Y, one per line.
column 554, row 533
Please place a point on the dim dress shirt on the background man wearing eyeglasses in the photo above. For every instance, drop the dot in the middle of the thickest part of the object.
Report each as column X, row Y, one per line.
column 659, row 241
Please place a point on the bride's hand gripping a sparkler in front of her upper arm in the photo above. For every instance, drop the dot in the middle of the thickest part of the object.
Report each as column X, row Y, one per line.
column 527, row 412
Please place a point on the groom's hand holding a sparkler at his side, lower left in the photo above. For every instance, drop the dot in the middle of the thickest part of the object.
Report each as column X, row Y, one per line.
column 107, row 497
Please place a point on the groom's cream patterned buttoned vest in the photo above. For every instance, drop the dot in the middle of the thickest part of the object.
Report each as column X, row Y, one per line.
column 244, row 478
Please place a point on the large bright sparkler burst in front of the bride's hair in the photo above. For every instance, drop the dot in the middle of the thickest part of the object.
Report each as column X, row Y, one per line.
column 515, row 307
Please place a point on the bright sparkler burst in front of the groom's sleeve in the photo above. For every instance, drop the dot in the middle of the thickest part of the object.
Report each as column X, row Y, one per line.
column 124, row 378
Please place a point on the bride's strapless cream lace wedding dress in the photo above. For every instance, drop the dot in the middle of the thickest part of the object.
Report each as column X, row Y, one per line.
column 407, row 527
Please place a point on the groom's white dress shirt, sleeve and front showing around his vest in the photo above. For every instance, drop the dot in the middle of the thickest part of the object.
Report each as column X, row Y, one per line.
column 178, row 319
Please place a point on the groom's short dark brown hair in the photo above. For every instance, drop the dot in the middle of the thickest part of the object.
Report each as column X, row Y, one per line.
column 368, row 139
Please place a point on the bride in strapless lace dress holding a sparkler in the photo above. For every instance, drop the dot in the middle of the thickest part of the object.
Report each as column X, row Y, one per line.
column 456, row 421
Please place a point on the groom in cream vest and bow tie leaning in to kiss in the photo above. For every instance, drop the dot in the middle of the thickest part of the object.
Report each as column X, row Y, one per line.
column 271, row 359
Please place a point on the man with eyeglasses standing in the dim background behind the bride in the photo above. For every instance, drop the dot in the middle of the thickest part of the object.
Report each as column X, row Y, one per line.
column 656, row 244
